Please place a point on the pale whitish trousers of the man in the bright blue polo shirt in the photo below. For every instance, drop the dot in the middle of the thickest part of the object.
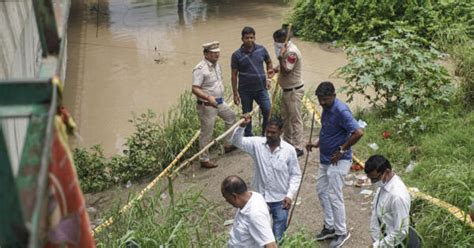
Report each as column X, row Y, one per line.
column 329, row 186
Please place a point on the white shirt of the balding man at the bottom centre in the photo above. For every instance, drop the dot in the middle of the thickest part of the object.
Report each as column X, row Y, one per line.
column 252, row 224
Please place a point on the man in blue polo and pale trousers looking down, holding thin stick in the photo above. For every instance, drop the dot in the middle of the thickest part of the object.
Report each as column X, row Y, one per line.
column 339, row 131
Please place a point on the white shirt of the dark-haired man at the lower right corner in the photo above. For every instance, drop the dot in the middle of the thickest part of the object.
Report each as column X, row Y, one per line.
column 393, row 211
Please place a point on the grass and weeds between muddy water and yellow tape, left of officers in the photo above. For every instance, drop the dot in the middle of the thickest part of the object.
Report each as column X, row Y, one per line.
column 153, row 145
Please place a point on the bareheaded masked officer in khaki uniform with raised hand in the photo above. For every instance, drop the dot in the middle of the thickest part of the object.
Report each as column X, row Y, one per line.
column 289, row 79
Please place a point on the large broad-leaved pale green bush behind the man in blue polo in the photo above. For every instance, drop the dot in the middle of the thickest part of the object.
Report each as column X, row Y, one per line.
column 394, row 71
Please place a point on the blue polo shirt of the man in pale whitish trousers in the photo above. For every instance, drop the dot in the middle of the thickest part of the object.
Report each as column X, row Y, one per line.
column 337, row 126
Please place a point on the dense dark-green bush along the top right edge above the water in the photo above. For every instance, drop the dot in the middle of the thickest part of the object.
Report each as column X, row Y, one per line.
column 358, row 20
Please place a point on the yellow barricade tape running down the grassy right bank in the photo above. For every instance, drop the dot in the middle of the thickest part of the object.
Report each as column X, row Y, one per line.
column 455, row 211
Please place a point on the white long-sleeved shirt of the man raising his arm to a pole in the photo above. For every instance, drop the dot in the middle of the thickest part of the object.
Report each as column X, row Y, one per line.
column 277, row 174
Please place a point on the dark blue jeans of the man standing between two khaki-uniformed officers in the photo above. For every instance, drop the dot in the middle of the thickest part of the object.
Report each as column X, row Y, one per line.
column 263, row 100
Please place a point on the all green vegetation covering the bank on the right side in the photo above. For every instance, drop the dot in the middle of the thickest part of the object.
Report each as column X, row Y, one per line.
column 419, row 116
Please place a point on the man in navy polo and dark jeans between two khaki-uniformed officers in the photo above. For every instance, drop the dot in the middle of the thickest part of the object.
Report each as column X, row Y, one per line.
column 249, row 78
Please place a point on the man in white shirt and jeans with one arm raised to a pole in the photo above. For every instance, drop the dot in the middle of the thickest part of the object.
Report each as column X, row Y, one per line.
column 277, row 173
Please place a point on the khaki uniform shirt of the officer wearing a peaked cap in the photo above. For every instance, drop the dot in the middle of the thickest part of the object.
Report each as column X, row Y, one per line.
column 209, row 78
